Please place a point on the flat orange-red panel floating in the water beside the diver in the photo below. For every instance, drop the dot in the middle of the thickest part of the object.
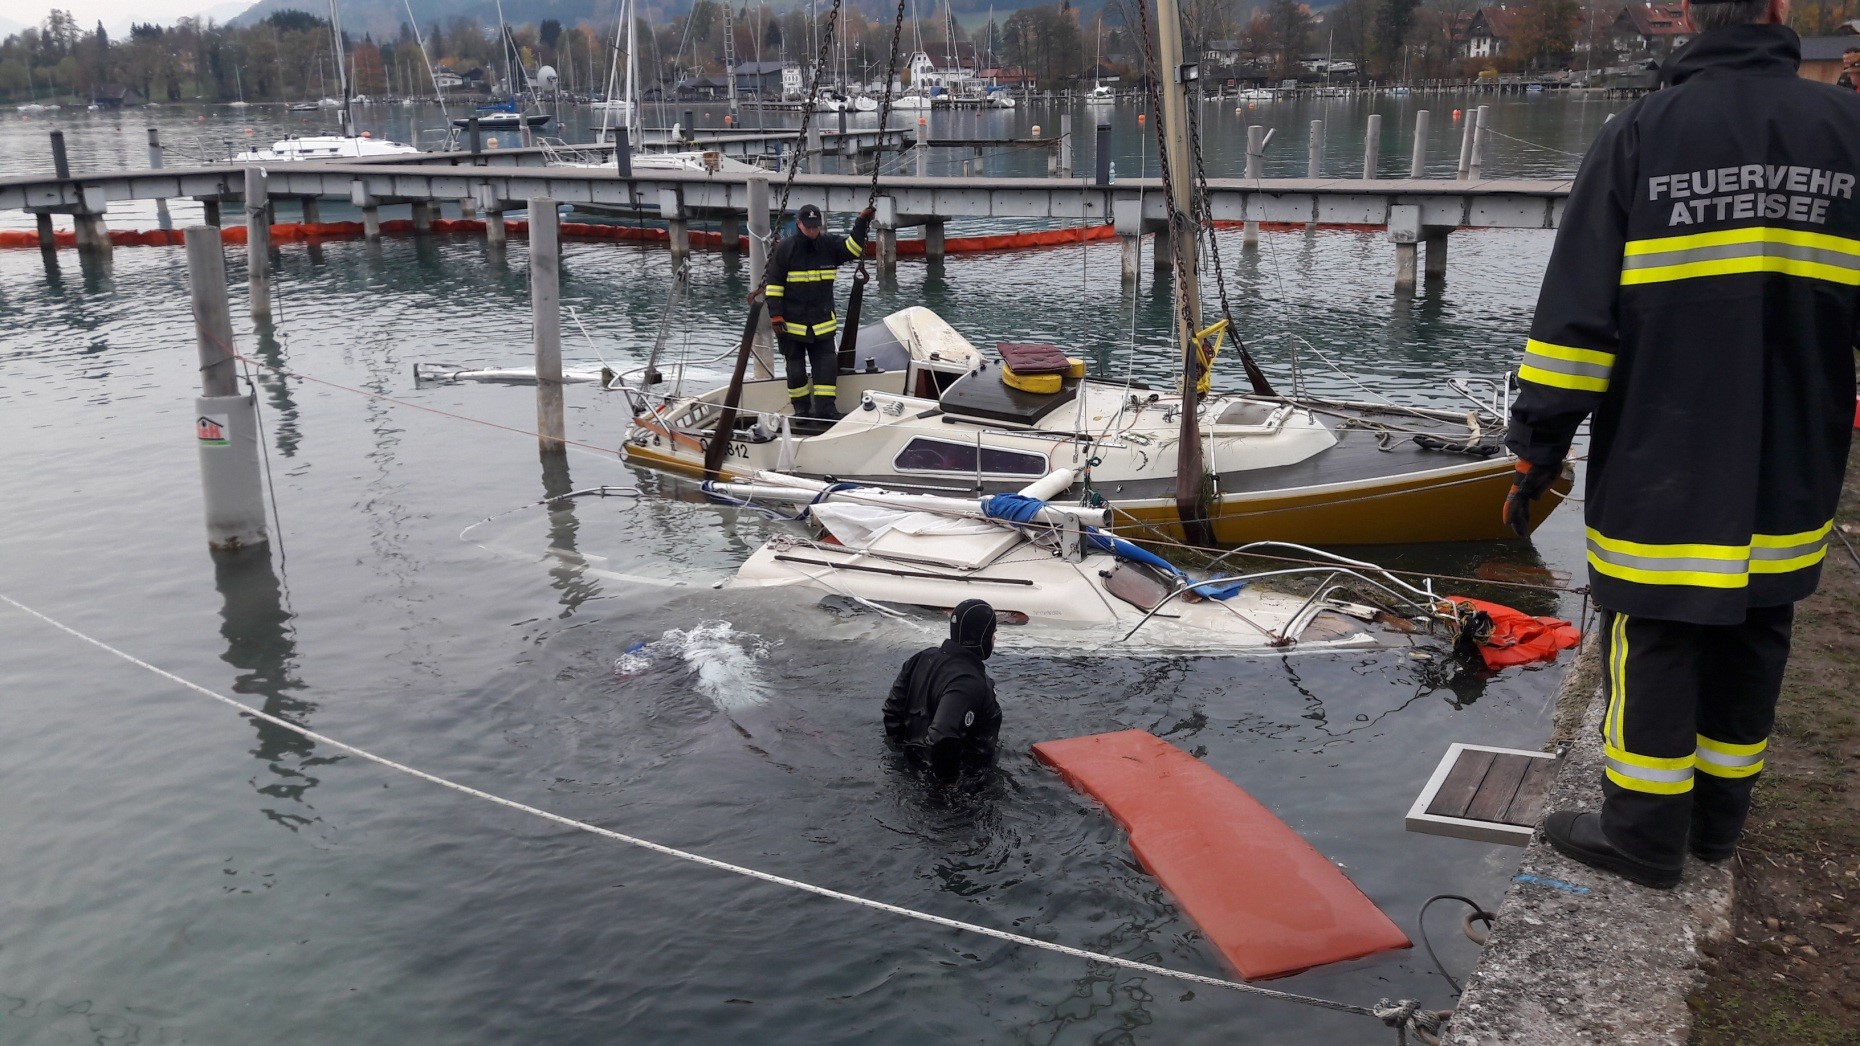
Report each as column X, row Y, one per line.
column 1268, row 900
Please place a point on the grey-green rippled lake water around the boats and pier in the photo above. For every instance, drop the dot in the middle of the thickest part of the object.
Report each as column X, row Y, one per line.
column 178, row 874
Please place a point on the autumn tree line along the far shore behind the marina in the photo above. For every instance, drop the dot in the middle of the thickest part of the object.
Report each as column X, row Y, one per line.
column 289, row 55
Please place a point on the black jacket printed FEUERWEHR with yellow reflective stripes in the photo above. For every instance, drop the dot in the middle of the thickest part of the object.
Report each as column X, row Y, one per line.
column 1703, row 302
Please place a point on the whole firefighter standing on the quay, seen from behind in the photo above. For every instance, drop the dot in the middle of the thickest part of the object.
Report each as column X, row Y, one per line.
column 1701, row 304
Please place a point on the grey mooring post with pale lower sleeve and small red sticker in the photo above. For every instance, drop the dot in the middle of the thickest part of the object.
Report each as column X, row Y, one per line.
column 226, row 431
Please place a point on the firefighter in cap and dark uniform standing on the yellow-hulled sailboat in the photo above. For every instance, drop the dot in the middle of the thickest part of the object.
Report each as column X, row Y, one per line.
column 801, row 304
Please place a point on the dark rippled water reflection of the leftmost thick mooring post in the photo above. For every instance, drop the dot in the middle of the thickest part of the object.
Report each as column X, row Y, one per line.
column 263, row 649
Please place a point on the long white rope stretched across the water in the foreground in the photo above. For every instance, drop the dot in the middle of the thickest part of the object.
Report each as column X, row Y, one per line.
column 1402, row 1015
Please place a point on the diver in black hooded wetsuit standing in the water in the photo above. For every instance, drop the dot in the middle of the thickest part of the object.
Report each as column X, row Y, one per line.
column 944, row 706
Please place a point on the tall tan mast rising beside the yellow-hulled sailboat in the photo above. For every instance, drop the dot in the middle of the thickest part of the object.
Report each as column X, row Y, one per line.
column 1175, row 81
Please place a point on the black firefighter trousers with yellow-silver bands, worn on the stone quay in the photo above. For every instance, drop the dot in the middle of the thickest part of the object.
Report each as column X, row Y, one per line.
column 1690, row 710
